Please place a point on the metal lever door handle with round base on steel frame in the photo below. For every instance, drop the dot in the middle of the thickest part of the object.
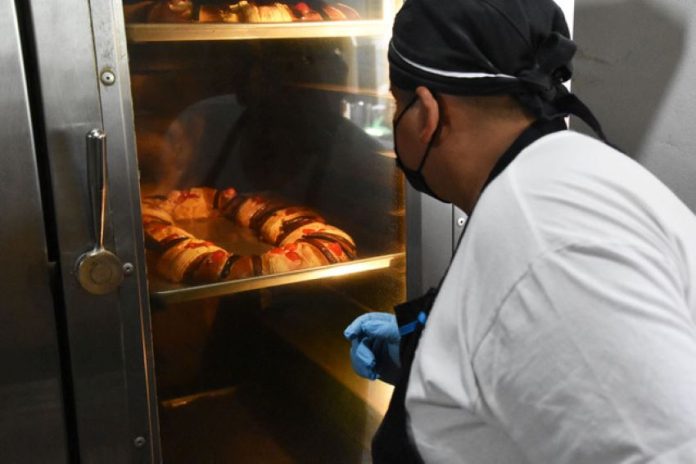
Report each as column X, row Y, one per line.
column 99, row 271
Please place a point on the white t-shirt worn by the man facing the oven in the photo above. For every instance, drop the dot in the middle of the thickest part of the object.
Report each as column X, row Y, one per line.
column 565, row 331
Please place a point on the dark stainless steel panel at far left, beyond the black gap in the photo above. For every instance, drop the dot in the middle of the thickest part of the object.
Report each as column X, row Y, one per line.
column 32, row 415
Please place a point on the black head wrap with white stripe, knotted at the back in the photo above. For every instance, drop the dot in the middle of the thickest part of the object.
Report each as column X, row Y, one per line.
column 488, row 47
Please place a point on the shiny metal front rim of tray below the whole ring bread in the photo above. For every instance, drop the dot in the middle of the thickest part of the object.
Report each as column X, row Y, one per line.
column 162, row 292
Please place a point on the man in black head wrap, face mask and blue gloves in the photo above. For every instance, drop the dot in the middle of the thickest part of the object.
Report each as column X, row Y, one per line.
column 564, row 330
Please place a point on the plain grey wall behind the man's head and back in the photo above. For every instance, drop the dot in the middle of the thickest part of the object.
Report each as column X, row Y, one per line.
column 636, row 69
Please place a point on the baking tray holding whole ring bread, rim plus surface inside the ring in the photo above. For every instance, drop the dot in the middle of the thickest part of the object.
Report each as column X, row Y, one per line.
column 242, row 241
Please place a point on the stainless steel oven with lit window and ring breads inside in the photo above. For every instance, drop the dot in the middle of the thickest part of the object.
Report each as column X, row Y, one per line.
column 116, row 111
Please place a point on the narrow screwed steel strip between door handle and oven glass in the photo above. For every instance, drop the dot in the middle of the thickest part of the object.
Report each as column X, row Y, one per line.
column 117, row 116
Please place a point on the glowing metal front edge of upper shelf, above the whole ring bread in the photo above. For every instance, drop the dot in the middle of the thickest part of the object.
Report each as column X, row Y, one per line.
column 146, row 32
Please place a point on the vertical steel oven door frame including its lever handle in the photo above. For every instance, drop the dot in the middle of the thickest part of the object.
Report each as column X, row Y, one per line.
column 98, row 248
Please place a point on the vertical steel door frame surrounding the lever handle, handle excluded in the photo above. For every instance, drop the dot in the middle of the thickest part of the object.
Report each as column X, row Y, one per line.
column 107, row 334
